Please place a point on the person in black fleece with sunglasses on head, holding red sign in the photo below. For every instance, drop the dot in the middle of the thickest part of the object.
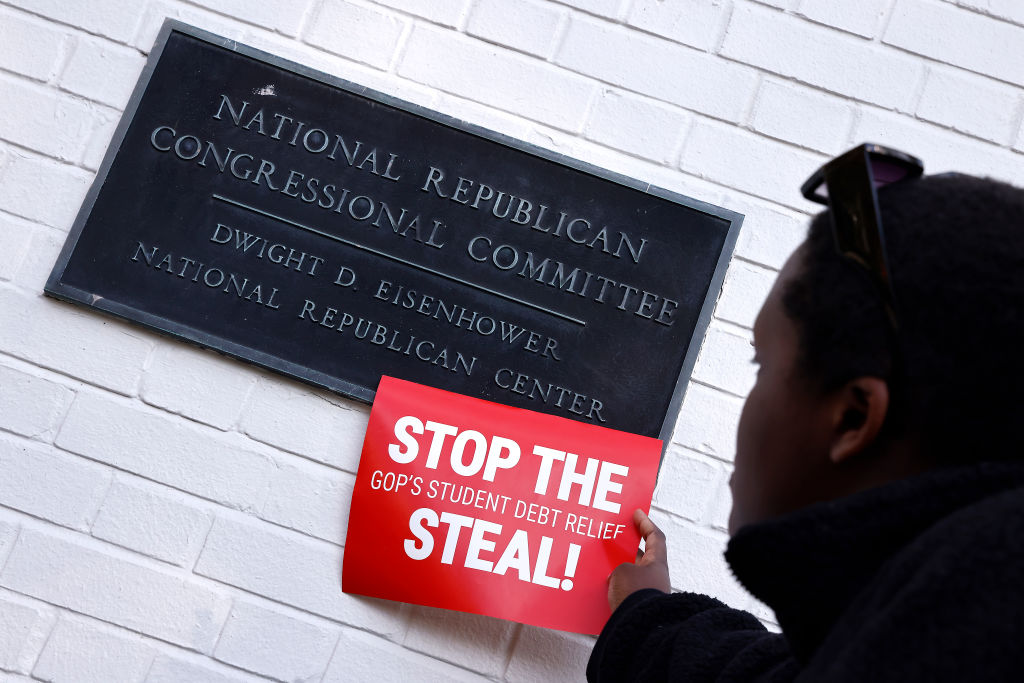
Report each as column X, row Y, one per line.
column 879, row 483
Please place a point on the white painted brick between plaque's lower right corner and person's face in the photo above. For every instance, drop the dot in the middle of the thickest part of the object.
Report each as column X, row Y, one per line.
column 708, row 420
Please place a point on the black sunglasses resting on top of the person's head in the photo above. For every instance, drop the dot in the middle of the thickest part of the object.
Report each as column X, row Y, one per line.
column 848, row 186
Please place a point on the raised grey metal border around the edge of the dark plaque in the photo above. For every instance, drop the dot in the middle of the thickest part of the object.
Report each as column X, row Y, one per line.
column 246, row 354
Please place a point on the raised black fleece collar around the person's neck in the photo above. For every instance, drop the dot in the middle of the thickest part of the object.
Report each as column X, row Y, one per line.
column 808, row 566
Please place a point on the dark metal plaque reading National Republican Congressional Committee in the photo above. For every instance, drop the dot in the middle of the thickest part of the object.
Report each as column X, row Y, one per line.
column 335, row 235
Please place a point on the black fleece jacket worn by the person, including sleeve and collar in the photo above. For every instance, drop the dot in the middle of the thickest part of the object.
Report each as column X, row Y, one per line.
column 920, row 580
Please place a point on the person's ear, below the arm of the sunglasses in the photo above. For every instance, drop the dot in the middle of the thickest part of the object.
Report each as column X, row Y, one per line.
column 860, row 412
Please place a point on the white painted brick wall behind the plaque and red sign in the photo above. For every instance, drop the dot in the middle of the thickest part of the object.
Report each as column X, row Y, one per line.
column 167, row 515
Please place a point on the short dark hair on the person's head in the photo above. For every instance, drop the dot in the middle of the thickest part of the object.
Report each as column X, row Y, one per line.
column 956, row 247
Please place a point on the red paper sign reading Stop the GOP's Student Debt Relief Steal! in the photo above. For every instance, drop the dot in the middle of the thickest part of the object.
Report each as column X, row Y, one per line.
column 470, row 505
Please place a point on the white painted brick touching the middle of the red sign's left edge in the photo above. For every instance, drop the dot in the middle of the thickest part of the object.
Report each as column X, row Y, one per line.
column 311, row 499
